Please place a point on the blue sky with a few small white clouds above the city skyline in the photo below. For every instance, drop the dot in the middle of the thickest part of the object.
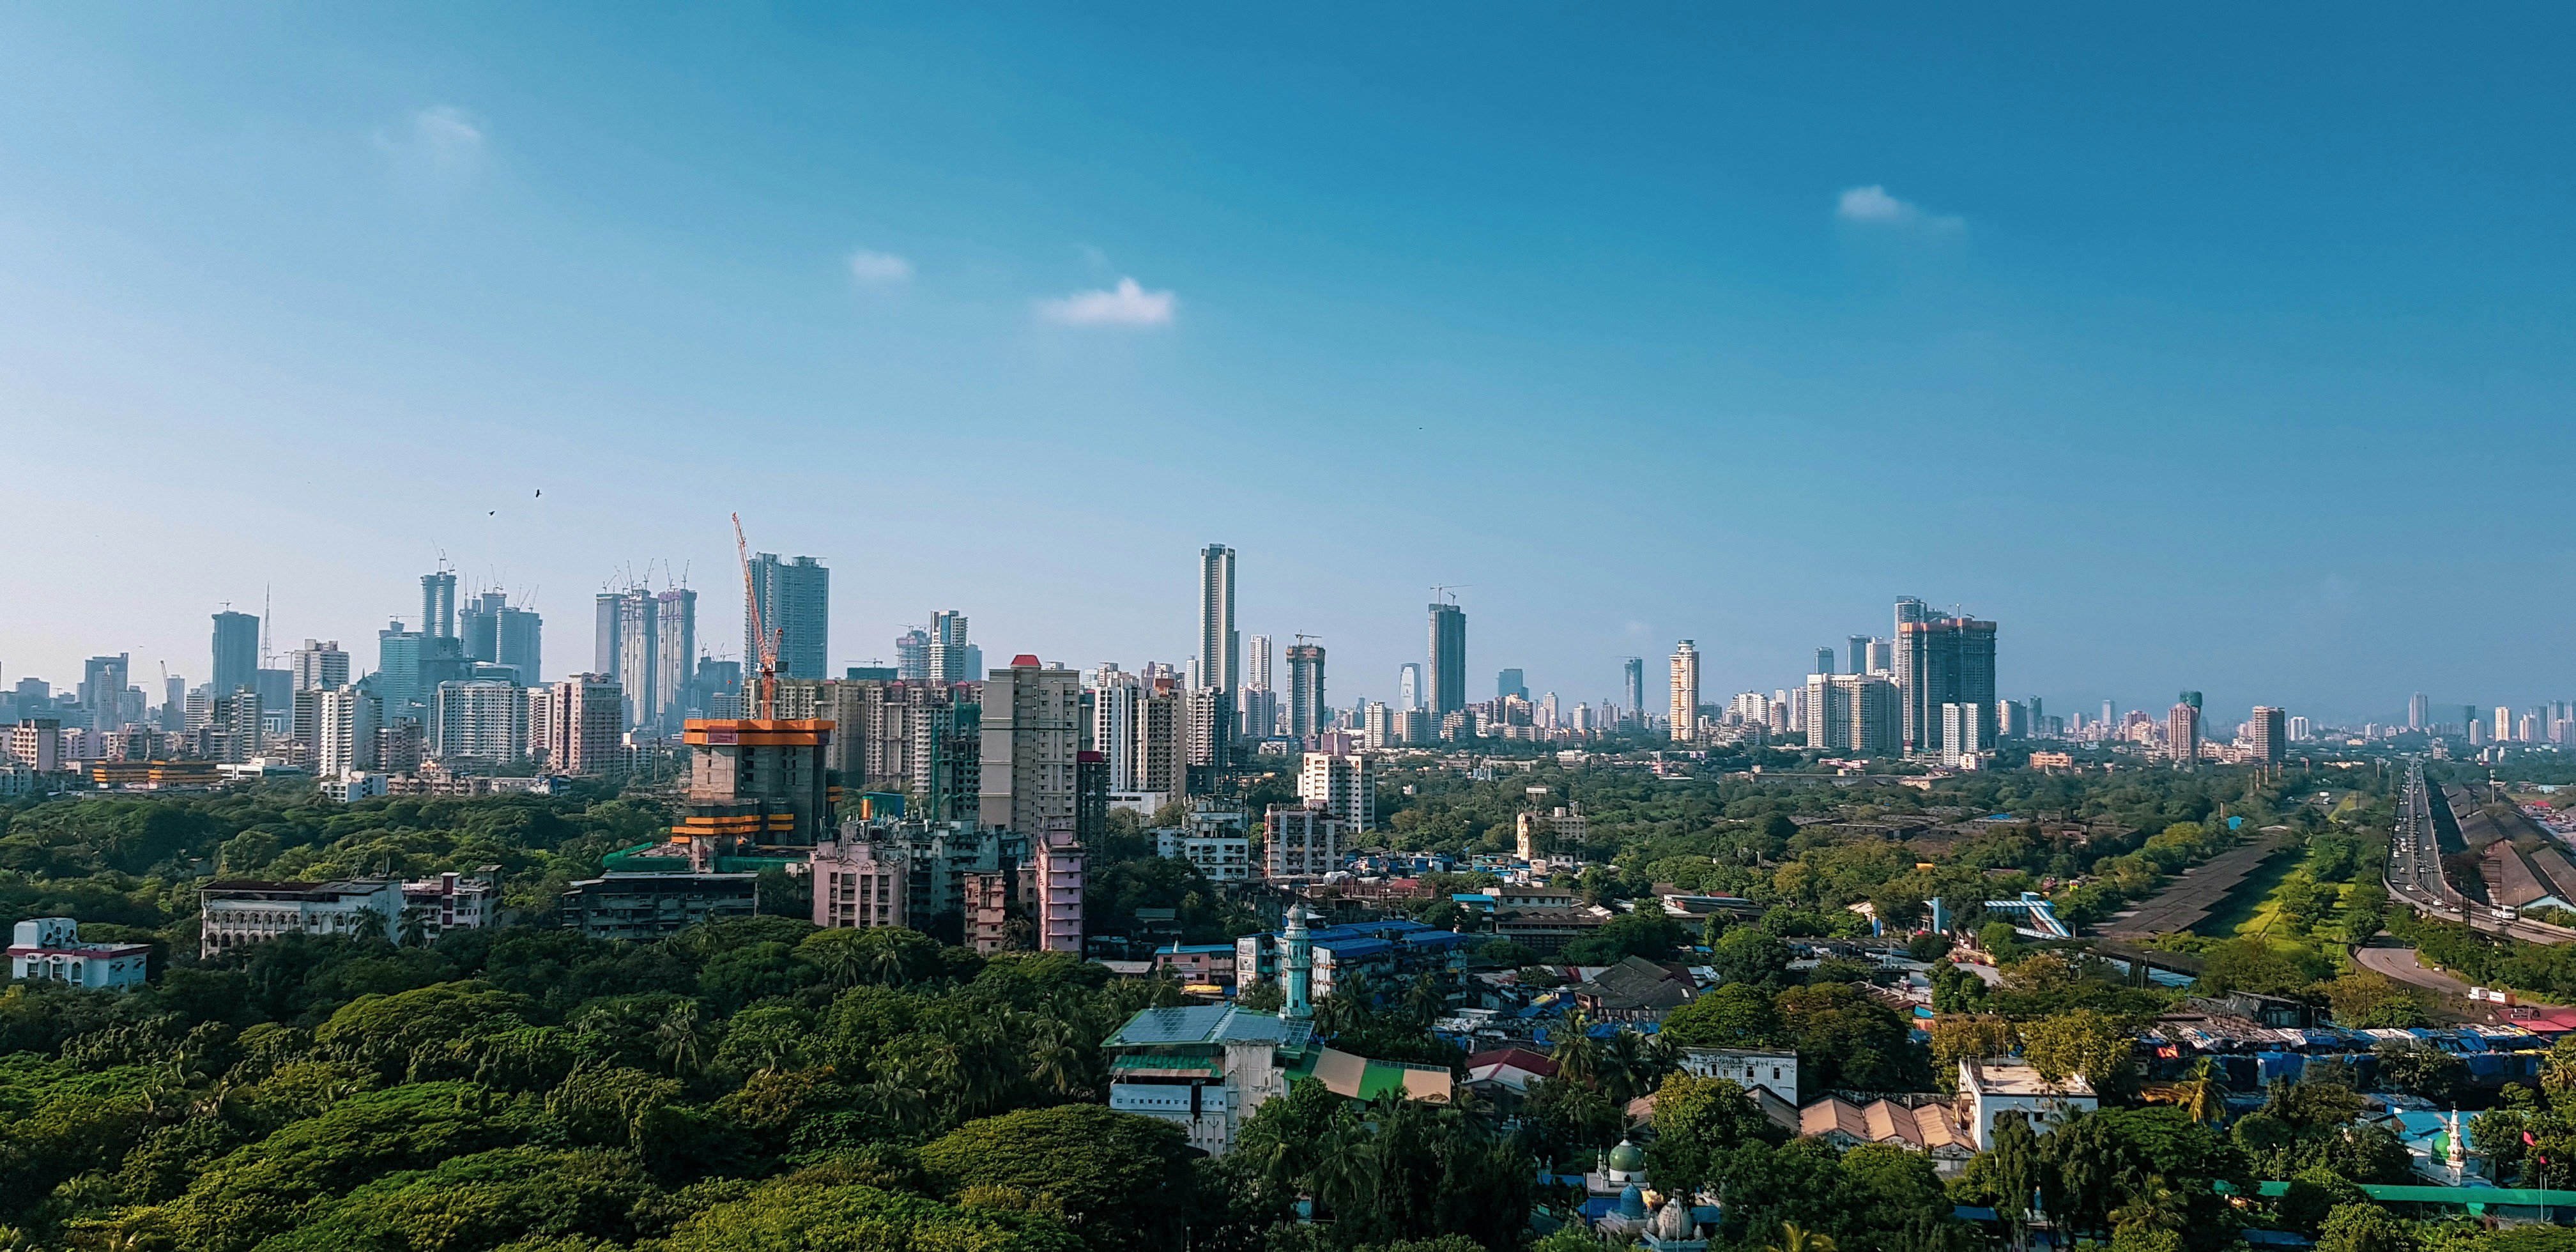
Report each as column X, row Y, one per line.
column 2204, row 349
